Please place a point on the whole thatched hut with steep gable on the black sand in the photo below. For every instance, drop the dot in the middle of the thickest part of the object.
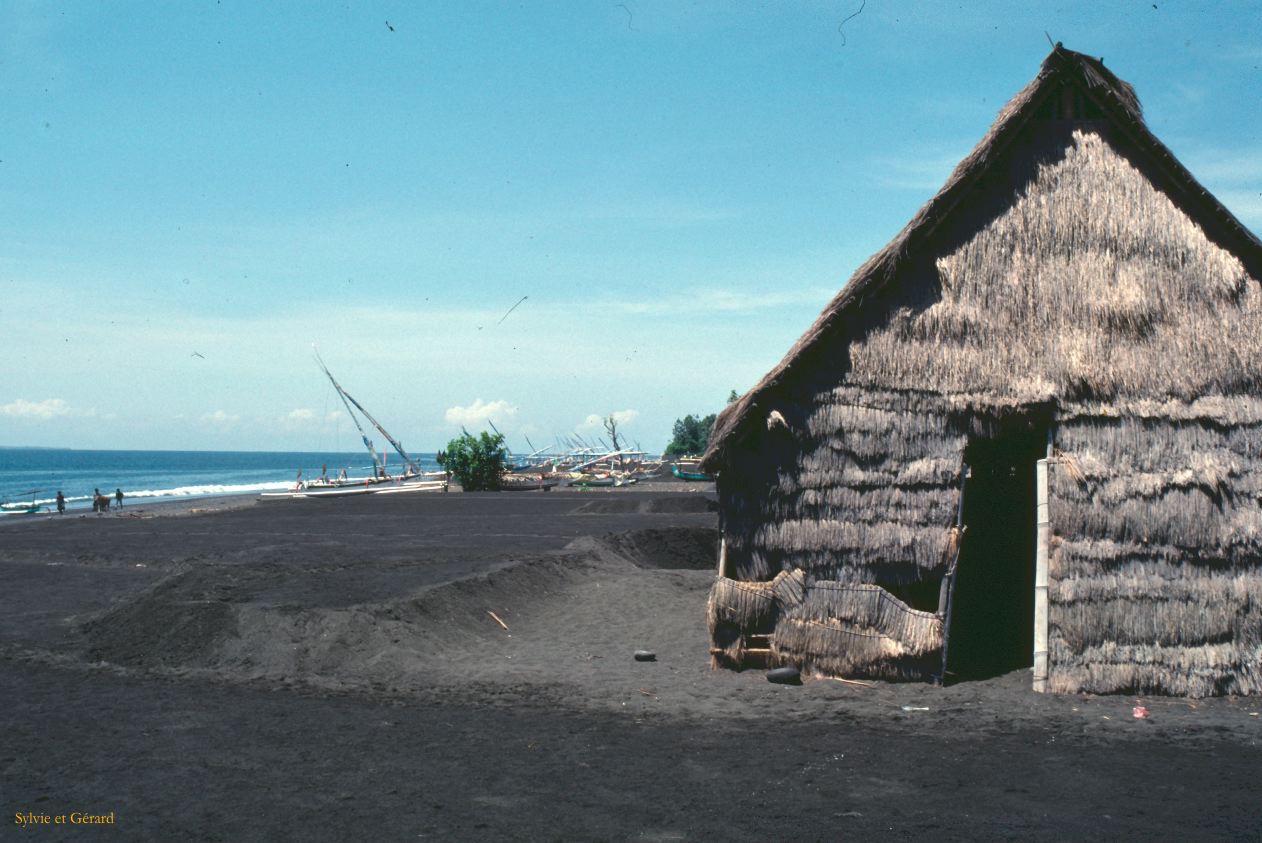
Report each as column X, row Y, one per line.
column 1028, row 432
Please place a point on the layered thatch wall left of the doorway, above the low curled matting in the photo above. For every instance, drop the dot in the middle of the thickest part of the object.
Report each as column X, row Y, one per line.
column 864, row 494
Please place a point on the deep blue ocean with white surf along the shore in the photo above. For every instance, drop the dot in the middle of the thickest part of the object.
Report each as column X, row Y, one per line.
column 38, row 474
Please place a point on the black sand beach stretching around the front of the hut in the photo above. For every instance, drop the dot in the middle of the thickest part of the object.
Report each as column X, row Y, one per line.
column 334, row 671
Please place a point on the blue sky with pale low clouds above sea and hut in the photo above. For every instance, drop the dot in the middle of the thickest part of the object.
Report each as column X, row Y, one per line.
column 191, row 195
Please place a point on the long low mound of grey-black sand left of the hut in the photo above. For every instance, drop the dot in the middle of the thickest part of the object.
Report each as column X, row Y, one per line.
column 572, row 618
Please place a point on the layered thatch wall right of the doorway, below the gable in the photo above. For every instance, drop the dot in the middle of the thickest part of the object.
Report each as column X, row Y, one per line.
column 1157, row 570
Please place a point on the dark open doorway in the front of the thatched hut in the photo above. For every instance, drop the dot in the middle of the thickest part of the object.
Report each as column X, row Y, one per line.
column 993, row 600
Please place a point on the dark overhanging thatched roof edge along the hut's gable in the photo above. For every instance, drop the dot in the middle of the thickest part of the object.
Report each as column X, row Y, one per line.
column 1114, row 100
